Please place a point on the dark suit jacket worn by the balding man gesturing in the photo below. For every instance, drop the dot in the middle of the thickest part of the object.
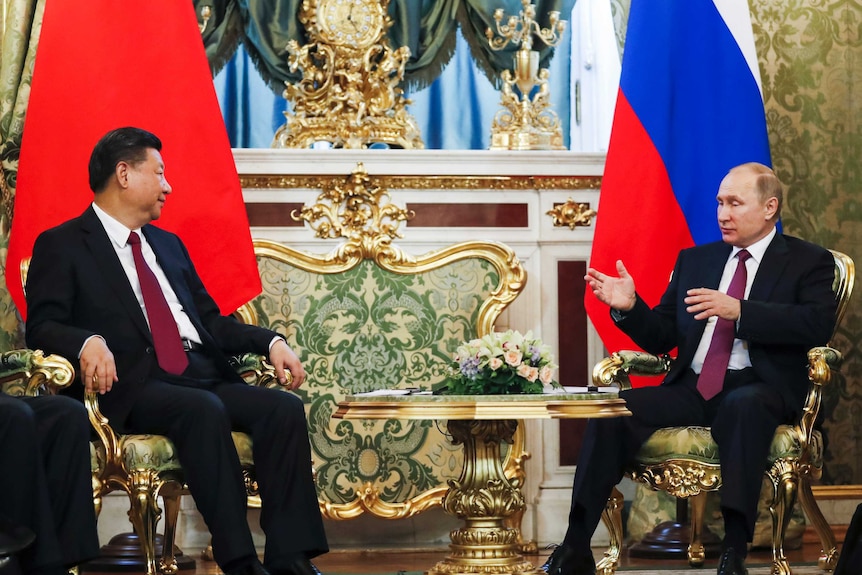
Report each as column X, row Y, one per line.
column 790, row 309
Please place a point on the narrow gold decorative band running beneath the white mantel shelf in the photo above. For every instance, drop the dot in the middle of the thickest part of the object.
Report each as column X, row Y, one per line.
column 289, row 181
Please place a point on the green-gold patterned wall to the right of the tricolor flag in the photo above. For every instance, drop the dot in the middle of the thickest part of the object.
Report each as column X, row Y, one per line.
column 810, row 54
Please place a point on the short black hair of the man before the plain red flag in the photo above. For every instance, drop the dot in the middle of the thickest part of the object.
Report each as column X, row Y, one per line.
column 121, row 145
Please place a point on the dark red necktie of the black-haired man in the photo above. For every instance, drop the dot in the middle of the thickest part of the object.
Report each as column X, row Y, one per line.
column 166, row 336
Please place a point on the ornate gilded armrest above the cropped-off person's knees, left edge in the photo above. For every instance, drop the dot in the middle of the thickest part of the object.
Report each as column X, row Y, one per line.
column 31, row 372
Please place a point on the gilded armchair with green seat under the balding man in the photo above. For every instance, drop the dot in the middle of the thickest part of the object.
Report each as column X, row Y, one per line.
column 683, row 461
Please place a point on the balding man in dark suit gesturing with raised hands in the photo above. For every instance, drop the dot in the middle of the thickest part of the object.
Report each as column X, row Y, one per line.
column 784, row 306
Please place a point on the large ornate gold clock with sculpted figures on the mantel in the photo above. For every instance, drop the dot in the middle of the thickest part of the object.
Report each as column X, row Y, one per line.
column 348, row 95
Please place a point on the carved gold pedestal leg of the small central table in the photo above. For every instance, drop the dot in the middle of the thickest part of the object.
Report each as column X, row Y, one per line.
column 483, row 497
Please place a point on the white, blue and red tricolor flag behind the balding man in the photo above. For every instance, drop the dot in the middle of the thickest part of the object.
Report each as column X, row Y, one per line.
column 689, row 108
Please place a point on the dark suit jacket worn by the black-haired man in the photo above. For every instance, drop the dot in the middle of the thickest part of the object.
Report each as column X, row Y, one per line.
column 77, row 288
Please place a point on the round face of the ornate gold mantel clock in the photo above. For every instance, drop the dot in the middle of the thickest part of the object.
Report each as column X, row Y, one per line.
column 350, row 22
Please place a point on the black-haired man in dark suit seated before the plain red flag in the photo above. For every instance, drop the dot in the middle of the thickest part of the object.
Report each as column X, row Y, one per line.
column 123, row 297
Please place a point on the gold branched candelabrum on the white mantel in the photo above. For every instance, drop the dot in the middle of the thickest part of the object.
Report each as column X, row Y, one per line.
column 525, row 123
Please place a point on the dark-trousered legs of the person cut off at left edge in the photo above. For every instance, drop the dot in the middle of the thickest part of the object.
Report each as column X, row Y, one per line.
column 47, row 517
